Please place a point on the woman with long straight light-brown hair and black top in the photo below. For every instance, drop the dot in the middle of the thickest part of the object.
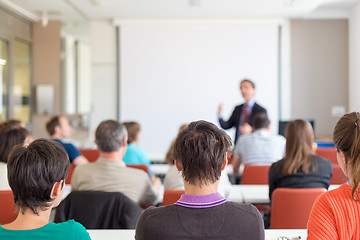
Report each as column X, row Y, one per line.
column 299, row 168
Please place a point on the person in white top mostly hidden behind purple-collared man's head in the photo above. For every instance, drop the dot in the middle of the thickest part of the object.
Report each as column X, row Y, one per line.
column 173, row 178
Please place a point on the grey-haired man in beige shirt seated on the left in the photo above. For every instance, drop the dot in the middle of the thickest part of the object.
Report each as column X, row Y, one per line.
column 110, row 174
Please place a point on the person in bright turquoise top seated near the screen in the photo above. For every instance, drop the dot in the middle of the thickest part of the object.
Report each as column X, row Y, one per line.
column 135, row 154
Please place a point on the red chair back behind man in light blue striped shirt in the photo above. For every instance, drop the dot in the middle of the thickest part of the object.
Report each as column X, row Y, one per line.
column 255, row 174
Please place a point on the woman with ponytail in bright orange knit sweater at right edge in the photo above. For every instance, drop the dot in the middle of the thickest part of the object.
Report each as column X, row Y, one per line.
column 336, row 213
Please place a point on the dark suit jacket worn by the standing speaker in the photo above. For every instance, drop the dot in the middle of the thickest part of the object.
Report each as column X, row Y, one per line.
column 234, row 120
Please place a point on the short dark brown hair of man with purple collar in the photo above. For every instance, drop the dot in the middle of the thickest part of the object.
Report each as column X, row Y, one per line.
column 200, row 149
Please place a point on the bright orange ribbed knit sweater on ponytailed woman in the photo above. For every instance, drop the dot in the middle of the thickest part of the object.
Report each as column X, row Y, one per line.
column 335, row 215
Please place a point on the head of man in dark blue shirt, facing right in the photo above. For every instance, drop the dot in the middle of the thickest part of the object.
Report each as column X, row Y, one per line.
column 59, row 126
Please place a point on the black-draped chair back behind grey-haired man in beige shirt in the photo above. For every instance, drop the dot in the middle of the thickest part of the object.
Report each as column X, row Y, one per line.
column 99, row 210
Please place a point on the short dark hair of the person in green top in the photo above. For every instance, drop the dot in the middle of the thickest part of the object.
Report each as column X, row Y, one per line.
column 33, row 170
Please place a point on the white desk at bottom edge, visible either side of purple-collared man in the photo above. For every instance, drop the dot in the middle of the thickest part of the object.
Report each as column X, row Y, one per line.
column 270, row 234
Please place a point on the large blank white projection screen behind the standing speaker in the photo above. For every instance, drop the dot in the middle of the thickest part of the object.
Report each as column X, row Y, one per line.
column 171, row 74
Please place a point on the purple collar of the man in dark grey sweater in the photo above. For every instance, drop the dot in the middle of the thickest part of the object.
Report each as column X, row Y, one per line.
column 201, row 201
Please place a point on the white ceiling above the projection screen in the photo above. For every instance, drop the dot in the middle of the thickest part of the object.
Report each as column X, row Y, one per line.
column 75, row 10
